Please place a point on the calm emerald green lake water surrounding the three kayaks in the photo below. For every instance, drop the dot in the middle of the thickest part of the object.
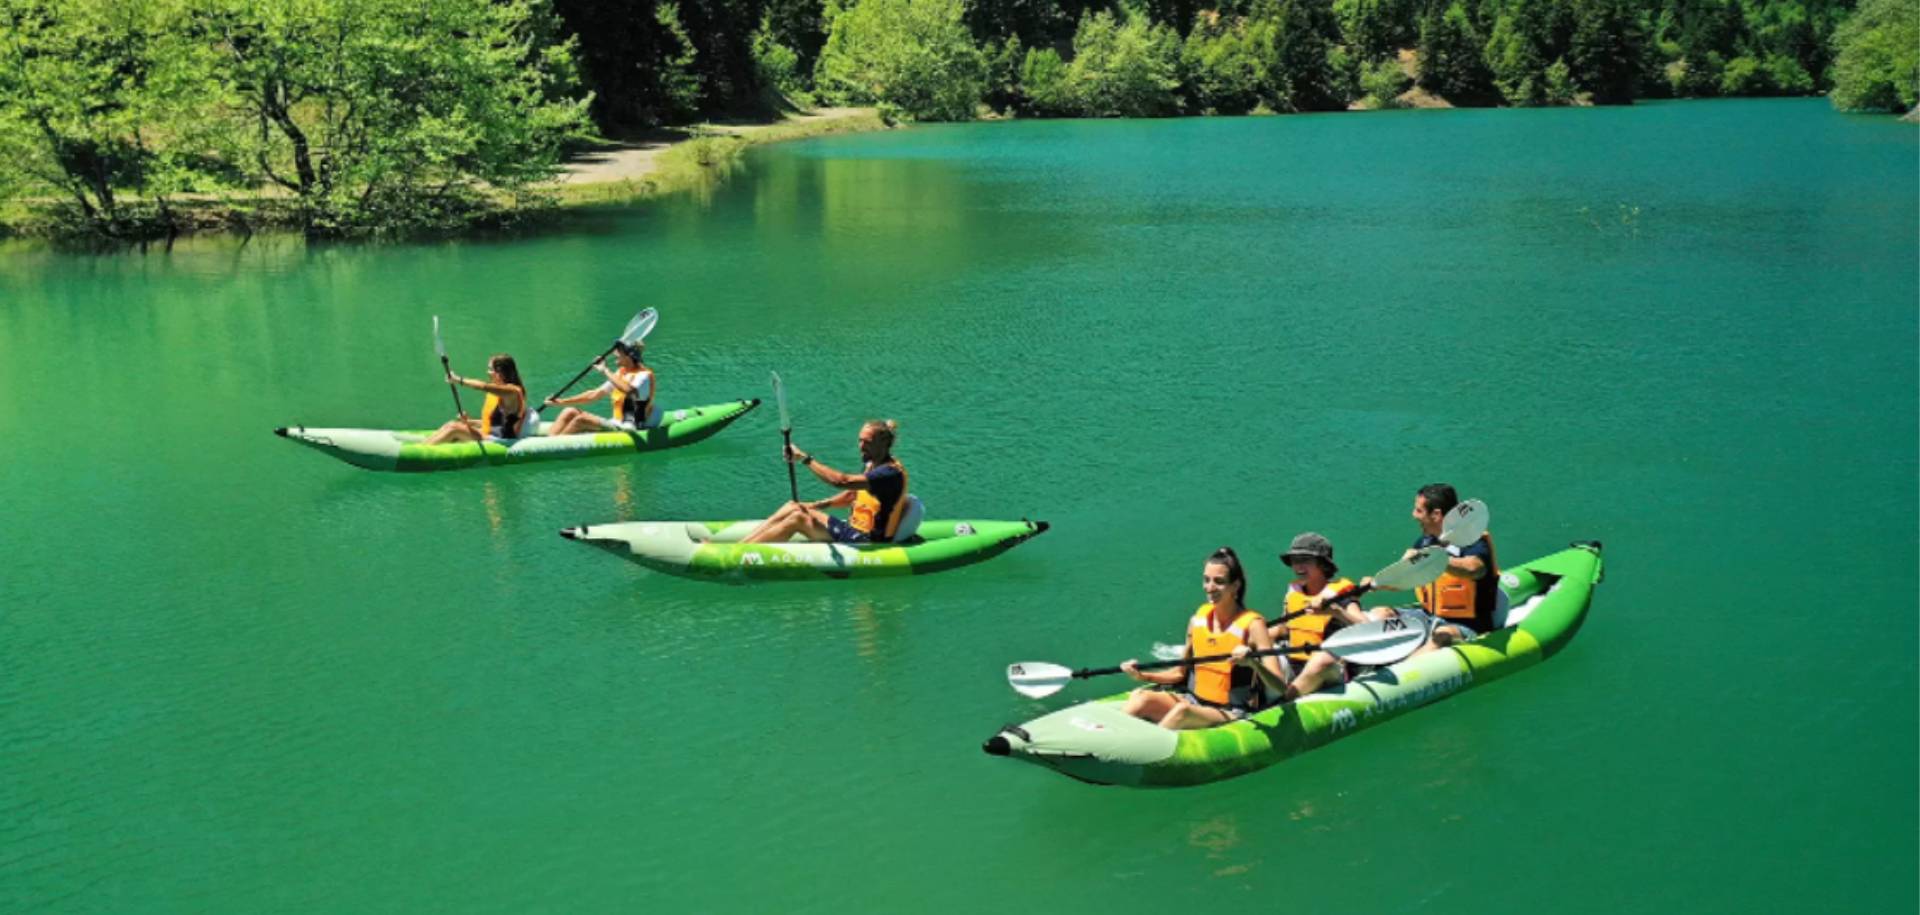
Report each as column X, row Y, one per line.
column 239, row 676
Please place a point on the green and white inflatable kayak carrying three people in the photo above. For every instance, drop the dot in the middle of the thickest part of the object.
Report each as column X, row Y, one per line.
column 1099, row 743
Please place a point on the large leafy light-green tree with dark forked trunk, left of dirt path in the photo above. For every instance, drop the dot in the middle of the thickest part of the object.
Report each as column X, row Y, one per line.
column 391, row 114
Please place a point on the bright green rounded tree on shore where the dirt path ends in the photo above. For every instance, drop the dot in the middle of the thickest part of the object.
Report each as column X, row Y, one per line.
column 909, row 57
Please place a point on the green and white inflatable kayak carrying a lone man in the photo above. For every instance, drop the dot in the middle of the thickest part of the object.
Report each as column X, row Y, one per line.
column 713, row 550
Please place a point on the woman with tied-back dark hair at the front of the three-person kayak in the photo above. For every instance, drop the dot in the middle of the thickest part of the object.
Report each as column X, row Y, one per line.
column 1220, row 692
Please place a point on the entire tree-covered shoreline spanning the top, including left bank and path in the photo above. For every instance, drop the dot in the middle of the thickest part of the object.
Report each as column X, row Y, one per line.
column 352, row 118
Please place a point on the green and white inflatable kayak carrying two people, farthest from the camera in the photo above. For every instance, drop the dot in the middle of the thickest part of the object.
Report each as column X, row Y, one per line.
column 387, row 450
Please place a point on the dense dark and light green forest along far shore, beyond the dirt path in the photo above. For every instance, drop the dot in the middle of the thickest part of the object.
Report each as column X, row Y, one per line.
column 1141, row 59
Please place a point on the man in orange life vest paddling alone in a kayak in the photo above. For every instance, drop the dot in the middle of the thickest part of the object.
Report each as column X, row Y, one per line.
column 876, row 494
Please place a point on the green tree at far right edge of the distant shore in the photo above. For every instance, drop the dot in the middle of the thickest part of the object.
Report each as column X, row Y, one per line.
column 1877, row 59
